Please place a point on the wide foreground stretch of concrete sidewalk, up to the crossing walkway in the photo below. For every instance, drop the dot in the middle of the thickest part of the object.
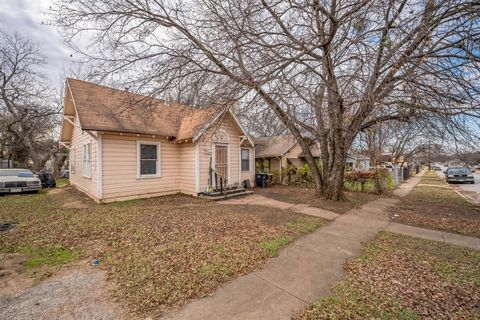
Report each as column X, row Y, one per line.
column 301, row 274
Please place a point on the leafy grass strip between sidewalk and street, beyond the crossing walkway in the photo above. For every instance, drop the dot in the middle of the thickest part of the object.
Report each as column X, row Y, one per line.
column 434, row 204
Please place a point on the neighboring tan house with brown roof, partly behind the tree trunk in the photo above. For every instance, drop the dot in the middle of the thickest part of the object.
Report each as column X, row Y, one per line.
column 276, row 152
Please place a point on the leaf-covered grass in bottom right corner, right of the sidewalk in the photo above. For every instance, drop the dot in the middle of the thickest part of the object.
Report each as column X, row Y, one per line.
column 399, row 277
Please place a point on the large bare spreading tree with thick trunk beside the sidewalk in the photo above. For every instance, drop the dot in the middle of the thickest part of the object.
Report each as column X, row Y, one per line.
column 326, row 69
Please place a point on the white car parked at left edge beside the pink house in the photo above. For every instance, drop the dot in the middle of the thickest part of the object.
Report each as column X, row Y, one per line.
column 18, row 180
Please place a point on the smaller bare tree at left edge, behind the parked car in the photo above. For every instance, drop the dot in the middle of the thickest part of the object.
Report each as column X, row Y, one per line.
column 29, row 115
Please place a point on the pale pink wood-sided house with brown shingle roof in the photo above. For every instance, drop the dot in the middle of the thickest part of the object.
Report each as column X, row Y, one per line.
column 125, row 146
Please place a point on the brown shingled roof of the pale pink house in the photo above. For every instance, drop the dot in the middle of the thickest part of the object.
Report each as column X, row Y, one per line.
column 101, row 108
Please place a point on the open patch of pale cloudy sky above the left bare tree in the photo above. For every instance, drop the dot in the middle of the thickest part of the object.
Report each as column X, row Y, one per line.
column 26, row 17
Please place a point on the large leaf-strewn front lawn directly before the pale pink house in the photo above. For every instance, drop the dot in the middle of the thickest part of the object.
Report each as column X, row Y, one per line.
column 158, row 253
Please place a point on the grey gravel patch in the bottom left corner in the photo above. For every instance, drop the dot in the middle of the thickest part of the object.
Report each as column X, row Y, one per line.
column 79, row 293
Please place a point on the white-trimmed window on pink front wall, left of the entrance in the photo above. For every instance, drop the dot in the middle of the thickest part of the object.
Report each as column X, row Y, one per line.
column 148, row 159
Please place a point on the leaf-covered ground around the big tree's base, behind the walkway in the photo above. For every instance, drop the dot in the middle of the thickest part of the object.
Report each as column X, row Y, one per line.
column 302, row 195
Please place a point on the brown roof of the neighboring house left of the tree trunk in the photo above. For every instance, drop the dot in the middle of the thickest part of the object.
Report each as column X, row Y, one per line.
column 274, row 146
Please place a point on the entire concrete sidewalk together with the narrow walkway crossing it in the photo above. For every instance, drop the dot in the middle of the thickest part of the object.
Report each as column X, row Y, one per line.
column 304, row 271
